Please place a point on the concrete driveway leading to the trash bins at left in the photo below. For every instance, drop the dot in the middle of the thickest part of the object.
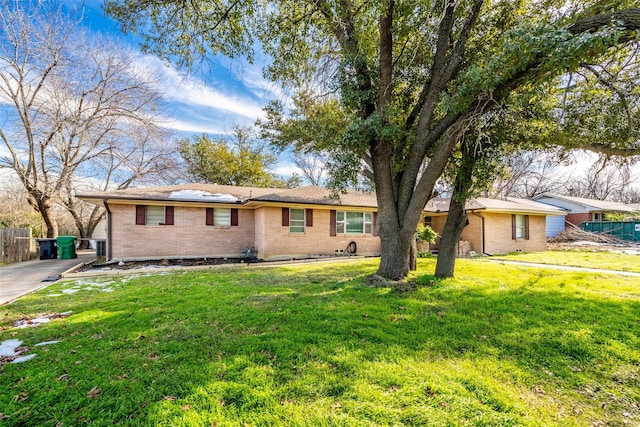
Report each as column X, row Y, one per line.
column 21, row 278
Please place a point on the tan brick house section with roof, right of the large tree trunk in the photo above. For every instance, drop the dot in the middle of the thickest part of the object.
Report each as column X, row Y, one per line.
column 496, row 226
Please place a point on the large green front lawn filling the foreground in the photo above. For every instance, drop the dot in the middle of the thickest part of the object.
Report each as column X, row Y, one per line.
column 314, row 345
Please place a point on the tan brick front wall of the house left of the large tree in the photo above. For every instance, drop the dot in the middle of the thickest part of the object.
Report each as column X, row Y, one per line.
column 189, row 237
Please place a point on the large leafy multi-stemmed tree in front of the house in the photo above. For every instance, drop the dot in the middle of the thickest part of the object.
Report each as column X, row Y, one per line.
column 411, row 76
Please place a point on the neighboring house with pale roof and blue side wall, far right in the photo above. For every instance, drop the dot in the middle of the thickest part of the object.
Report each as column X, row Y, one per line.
column 578, row 210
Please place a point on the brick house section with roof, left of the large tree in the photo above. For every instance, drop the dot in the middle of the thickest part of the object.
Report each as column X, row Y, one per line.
column 200, row 220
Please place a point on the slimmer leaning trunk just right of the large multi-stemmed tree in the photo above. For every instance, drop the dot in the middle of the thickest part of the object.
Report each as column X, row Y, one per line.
column 456, row 221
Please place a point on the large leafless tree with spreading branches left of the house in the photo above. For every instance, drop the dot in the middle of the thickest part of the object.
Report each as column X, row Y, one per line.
column 70, row 103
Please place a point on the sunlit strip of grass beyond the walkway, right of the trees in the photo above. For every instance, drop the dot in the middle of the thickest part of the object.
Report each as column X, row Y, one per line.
column 581, row 258
